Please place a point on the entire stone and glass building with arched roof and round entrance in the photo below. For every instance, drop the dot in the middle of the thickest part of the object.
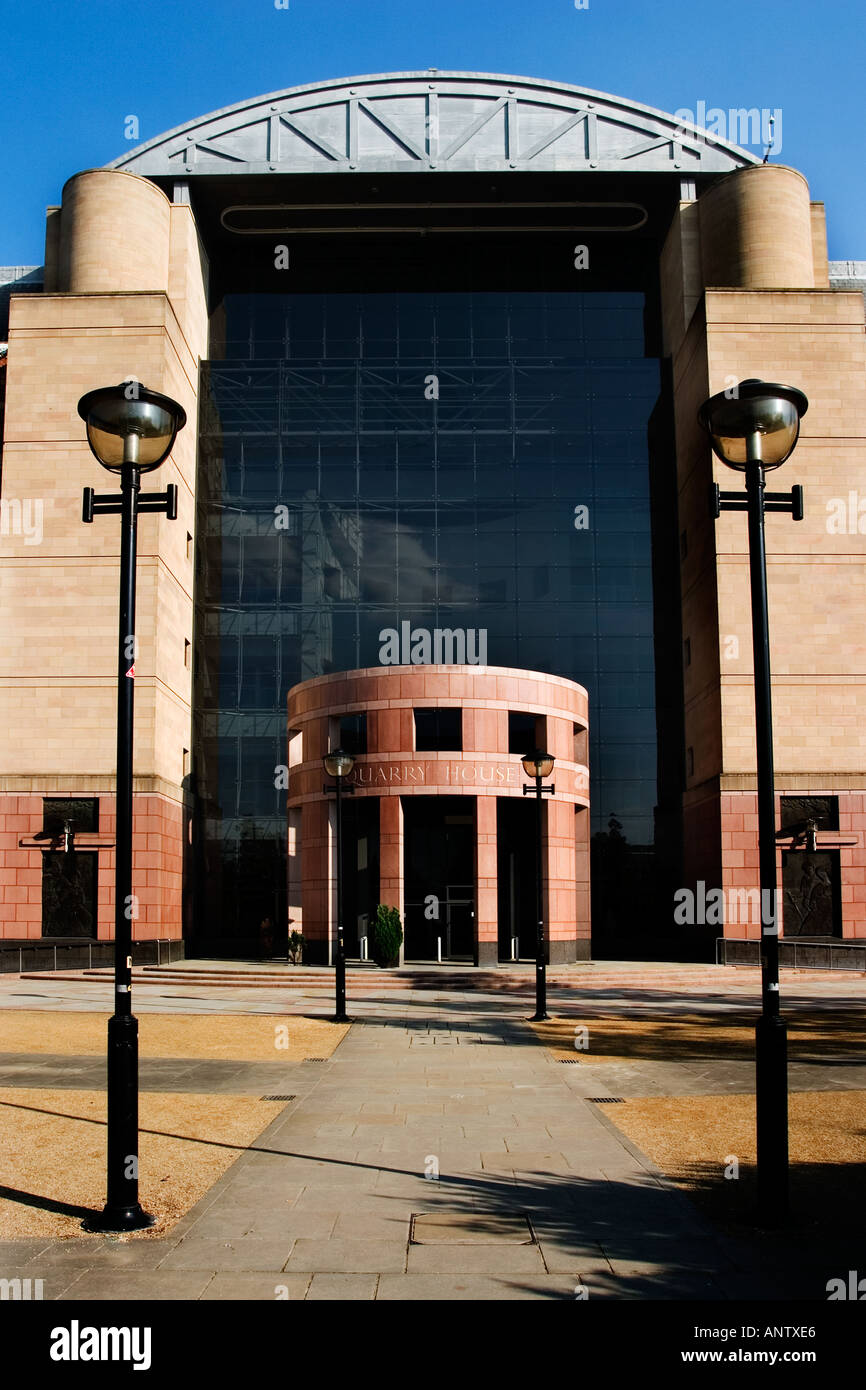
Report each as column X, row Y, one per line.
column 441, row 340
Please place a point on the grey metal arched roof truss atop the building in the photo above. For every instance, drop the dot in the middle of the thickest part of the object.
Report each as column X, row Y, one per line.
column 416, row 122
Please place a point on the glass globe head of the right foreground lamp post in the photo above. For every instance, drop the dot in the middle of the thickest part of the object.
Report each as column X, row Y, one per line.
column 755, row 423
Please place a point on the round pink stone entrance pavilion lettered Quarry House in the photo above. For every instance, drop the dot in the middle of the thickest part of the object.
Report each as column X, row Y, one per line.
column 439, row 826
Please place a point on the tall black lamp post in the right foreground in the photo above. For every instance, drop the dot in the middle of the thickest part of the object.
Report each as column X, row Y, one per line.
column 755, row 429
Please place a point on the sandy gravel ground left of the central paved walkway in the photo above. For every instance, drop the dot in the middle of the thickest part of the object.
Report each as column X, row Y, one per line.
column 54, row 1143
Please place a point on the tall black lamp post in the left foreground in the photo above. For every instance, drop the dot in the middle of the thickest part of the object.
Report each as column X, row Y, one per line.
column 131, row 432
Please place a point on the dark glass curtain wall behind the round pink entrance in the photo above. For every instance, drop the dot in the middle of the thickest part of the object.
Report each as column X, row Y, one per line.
column 465, row 461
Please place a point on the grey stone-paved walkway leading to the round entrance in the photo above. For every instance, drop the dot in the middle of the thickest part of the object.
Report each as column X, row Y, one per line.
column 441, row 1110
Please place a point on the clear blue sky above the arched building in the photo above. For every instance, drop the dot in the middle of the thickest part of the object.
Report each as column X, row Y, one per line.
column 73, row 74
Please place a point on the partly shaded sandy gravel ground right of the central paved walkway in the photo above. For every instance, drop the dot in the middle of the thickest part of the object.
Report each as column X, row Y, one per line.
column 707, row 1143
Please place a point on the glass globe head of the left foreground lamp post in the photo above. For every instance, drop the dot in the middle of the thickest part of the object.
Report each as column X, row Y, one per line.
column 129, row 425
